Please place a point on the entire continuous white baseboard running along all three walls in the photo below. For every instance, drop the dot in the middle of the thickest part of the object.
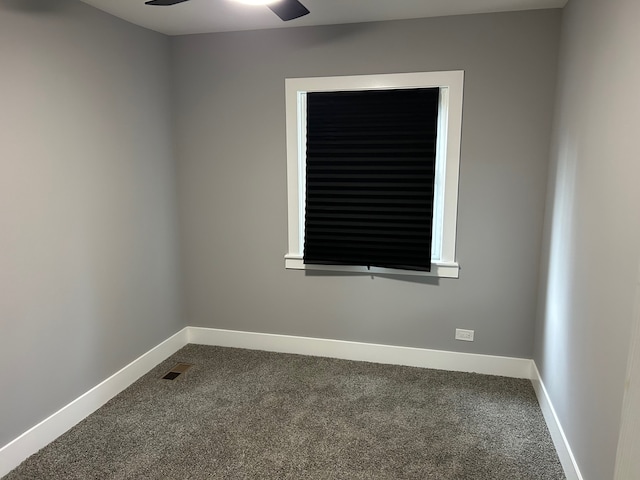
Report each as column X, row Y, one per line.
column 12, row 454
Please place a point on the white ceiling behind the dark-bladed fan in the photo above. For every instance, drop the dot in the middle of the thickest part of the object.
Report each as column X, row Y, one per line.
column 201, row 16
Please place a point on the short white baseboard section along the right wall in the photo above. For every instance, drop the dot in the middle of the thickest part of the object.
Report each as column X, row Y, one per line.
column 568, row 461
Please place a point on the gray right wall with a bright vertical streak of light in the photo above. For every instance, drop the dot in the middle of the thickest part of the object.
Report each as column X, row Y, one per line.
column 592, row 229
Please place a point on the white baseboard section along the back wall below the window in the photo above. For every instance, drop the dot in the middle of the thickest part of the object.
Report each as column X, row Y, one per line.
column 366, row 352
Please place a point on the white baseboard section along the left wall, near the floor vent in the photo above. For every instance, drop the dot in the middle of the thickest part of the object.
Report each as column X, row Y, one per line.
column 12, row 454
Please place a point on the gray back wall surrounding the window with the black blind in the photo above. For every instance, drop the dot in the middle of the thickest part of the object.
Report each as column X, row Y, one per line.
column 229, row 94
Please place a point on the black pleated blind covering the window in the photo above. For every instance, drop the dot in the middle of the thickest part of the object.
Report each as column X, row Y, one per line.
column 370, row 177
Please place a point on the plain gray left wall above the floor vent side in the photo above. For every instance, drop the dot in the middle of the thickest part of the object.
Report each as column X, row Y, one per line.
column 88, row 251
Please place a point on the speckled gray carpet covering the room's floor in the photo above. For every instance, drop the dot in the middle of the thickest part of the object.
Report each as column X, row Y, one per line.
column 241, row 414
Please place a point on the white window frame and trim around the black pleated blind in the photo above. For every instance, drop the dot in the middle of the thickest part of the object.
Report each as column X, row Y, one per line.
column 451, row 83
